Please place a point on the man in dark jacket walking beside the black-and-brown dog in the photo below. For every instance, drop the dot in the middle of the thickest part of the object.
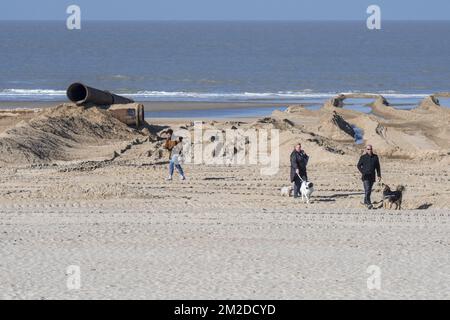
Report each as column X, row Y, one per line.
column 367, row 165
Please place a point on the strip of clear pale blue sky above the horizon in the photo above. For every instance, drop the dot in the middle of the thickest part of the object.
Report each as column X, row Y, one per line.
column 225, row 9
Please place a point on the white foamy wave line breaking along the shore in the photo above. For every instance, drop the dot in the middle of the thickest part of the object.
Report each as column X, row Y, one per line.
column 49, row 94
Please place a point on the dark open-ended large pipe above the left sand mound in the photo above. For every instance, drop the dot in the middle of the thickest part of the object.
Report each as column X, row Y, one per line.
column 81, row 94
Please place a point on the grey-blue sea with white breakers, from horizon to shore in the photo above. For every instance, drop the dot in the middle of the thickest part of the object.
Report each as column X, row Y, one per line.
column 226, row 61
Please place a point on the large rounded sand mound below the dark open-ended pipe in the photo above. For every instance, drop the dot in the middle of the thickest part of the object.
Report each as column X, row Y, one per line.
column 57, row 133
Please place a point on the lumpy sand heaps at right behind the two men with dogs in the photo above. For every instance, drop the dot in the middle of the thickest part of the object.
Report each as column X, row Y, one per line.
column 421, row 133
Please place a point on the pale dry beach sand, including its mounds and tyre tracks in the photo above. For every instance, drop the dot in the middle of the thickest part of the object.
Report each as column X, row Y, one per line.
column 101, row 202
